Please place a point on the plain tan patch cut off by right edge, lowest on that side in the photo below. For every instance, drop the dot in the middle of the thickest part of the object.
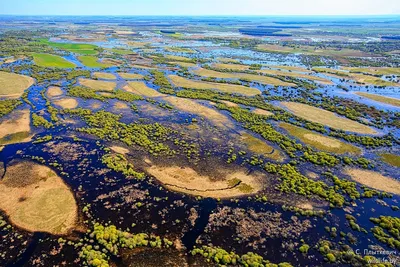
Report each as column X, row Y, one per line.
column 374, row 180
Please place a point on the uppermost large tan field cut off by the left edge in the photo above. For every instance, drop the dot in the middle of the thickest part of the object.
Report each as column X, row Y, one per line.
column 13, row 85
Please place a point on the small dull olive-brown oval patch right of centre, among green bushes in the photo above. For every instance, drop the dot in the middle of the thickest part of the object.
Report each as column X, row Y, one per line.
column 260, row 147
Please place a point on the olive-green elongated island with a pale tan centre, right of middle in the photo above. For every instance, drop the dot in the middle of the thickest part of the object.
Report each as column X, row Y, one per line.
column 319, row 141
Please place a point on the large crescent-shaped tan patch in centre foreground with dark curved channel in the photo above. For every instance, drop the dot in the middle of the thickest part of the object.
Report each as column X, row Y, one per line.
column 189, row 181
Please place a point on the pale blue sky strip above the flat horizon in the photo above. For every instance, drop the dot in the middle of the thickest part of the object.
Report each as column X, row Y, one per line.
column 200, row 7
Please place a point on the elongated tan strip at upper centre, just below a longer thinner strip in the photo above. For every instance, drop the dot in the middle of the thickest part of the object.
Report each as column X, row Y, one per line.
column 226, row 88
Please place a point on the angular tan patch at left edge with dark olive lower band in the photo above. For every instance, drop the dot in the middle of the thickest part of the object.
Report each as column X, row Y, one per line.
column 16, row 129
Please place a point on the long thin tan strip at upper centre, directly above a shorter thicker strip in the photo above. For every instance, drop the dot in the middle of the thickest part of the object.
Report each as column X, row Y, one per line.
column 243, row 76
